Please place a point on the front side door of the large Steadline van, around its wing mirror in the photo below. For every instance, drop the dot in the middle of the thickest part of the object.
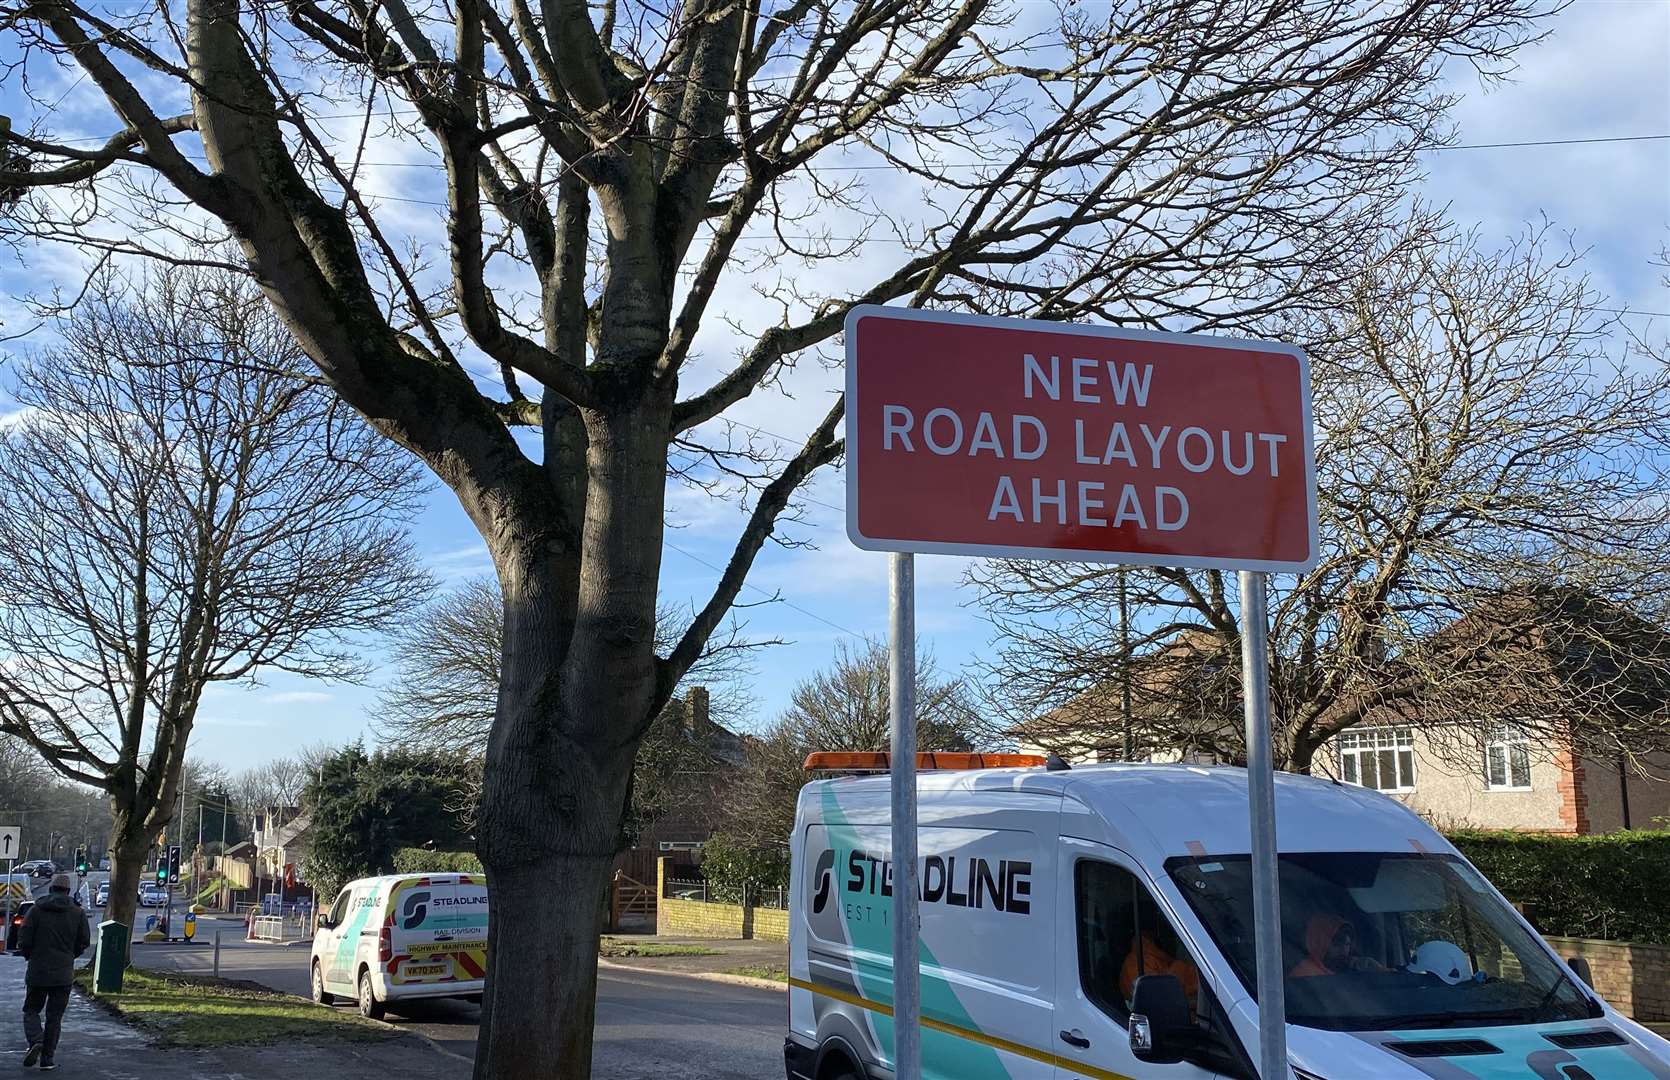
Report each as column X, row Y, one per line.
column 1110, row 934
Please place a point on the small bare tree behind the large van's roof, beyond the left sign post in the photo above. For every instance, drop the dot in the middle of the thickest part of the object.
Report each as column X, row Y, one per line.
column 843, row 707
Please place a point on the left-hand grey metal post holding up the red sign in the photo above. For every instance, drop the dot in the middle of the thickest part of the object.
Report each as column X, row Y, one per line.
column 903, row 699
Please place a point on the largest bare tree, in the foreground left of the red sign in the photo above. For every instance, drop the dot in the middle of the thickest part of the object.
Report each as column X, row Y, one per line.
column 609, row 173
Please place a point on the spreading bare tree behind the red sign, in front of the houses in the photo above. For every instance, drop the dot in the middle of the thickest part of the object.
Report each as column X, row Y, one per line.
column 1490, row 470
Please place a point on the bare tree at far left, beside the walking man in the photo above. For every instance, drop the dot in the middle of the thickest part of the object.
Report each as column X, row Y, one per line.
column 180, row 510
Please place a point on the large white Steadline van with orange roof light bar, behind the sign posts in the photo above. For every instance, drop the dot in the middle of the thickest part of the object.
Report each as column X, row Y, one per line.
column 1060, row 904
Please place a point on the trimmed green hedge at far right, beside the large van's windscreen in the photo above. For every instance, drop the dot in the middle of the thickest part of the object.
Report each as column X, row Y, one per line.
column 1612, row 887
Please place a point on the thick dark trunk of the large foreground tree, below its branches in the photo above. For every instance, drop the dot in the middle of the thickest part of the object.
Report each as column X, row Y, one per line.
column 554, row 795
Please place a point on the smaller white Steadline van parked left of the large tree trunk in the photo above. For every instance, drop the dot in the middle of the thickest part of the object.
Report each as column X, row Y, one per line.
column 397, row 939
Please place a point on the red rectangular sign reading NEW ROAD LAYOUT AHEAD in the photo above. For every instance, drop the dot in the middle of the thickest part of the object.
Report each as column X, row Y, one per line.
column 1041, row 440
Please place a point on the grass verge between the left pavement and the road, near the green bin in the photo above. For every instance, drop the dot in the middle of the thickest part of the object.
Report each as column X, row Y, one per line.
column 196, row 1012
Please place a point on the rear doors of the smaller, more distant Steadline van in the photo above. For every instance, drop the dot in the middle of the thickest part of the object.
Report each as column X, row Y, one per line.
column 440, row 932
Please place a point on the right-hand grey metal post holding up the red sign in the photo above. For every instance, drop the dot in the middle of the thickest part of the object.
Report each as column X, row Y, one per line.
column 1262, row 810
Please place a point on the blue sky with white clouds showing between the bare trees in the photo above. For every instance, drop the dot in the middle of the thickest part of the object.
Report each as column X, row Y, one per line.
column 1604, row 73
